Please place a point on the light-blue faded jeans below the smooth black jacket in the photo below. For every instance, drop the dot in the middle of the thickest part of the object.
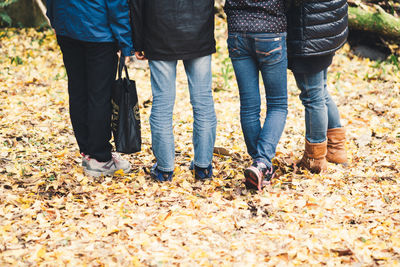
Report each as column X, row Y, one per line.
column 163, row 80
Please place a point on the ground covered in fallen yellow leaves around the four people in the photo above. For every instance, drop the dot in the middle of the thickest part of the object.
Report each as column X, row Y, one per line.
column 52, row 214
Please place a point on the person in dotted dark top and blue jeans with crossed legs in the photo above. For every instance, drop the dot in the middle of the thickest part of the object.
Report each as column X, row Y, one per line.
column 257, row 44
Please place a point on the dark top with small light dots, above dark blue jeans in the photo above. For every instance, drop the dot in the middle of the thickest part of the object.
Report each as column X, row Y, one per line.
column 267, row 16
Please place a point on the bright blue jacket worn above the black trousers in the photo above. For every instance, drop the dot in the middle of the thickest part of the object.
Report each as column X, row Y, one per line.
column 93, row 21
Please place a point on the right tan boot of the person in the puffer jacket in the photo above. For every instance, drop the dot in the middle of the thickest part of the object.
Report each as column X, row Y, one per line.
column 336, row 146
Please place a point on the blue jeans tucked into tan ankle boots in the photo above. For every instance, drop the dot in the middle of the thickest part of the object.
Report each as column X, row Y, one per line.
column 321, row 112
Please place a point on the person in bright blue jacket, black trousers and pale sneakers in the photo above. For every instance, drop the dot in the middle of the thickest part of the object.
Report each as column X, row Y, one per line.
column 90, row 33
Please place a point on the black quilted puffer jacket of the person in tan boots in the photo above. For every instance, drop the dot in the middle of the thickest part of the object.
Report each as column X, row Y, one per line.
column 316, row 27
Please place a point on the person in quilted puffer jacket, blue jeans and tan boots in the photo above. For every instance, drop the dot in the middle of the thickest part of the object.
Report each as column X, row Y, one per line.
column 316, row 29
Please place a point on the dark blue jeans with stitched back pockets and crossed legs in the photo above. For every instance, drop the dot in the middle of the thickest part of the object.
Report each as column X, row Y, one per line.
column 252, row 53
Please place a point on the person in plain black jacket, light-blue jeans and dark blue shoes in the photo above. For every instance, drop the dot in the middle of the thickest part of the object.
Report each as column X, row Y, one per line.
column 165, row 31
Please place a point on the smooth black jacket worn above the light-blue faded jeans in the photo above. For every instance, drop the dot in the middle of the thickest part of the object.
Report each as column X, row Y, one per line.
column 173, row 29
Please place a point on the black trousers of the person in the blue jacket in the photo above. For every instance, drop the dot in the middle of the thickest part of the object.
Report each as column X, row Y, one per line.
column 91, row 69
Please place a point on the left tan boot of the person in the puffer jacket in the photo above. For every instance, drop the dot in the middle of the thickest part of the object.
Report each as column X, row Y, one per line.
column 314, row 157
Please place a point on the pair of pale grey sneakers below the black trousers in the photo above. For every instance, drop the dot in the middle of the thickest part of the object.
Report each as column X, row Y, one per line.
column 97, row 169
